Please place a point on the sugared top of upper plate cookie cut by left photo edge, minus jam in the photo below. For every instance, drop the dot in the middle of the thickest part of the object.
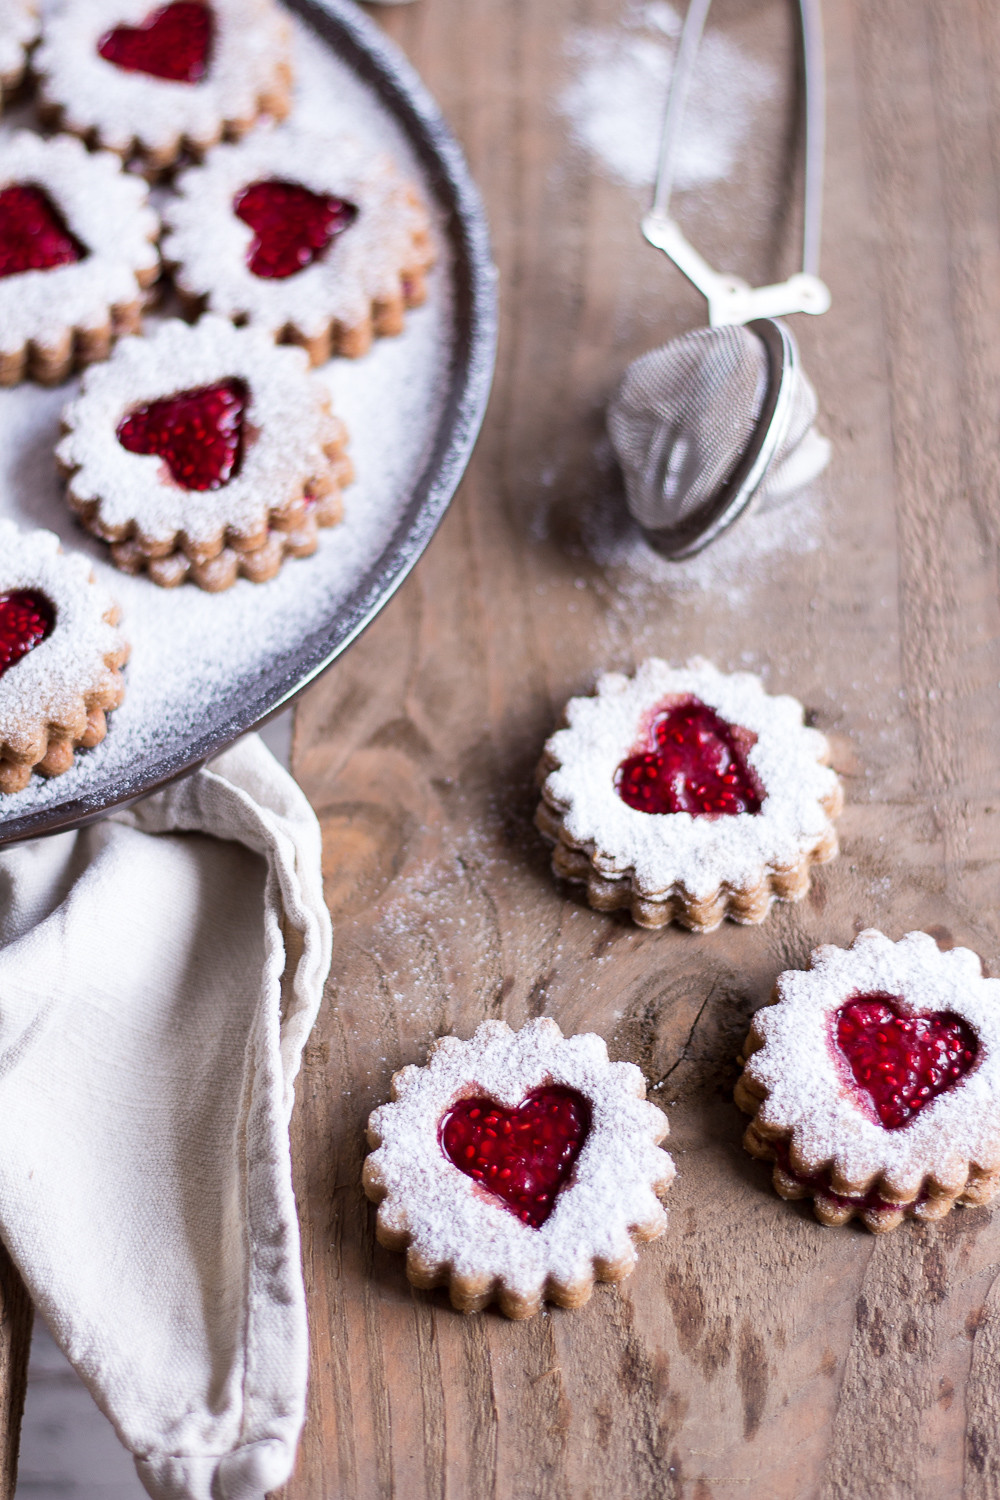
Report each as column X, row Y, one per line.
column 106, row 209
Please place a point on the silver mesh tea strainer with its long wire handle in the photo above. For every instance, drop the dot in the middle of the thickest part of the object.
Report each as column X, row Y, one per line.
column 725, row 413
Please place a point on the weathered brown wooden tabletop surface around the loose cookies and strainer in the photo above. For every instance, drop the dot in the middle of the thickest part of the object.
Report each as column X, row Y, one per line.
column 753, row 1352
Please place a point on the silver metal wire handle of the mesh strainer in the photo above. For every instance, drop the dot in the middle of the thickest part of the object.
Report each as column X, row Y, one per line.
column 729, row 298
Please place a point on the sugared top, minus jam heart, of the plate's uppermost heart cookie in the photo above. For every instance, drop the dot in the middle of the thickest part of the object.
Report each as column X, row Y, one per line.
column 250, row 47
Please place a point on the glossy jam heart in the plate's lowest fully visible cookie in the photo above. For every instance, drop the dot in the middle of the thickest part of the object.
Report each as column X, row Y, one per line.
column 199, row 434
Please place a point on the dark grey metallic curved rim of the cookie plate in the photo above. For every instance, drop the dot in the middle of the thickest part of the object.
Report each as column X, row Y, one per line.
column 379, row 62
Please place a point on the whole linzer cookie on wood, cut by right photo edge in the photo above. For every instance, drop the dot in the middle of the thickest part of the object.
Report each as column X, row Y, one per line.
column 873, row 1081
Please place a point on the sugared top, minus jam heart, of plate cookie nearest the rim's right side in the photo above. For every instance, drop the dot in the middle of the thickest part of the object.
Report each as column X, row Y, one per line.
column 209, row 244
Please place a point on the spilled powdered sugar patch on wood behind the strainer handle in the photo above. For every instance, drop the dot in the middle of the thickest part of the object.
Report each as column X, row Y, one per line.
column 617, row 98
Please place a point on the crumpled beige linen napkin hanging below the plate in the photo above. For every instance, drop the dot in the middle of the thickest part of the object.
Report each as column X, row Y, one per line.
column 160, row 974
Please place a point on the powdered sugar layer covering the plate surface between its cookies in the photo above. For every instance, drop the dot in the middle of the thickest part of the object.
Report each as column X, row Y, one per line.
column 190, row 649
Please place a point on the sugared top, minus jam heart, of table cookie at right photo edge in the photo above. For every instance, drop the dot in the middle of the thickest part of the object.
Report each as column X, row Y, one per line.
column 810, row 1091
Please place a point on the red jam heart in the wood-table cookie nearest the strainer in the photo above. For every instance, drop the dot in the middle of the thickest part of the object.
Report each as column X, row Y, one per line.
column 692, row 763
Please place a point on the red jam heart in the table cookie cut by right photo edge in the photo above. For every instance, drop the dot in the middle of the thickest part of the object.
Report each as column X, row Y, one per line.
column 902, row 1063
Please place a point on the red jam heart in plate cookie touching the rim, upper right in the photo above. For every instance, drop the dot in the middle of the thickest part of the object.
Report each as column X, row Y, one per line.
column 292, row 226
